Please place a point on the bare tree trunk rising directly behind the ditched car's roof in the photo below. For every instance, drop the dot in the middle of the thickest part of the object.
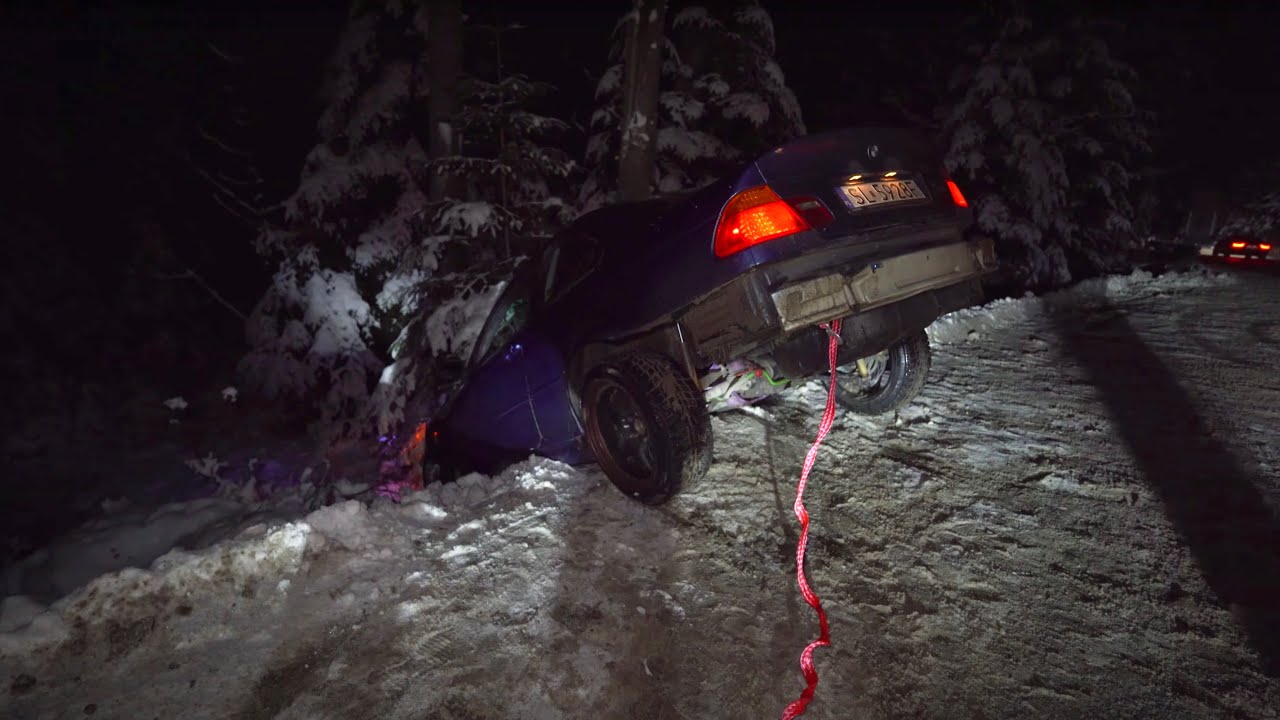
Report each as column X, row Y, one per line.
column 642, row 69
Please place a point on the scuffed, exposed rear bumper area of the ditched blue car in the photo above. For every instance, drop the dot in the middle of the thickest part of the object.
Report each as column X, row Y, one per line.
column 769, row 304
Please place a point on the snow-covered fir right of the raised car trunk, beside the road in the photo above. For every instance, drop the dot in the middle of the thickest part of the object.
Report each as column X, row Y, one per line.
column 1045, row 135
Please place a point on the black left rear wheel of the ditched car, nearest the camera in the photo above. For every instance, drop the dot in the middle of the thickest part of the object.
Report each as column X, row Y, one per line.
column 648, row 426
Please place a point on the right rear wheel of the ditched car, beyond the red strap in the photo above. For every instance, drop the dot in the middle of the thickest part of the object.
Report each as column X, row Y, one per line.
column 889, row 381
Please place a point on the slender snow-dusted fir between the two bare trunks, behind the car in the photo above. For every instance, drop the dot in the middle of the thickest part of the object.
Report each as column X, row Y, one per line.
column 514, row 180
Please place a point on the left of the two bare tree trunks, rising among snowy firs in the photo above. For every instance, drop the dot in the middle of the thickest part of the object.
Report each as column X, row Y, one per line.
column 445, row 70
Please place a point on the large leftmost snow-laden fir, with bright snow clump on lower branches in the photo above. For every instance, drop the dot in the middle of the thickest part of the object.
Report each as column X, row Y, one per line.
column 349, row 245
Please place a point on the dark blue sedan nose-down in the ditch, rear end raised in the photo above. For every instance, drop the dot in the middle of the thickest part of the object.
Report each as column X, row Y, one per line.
column 639, row 320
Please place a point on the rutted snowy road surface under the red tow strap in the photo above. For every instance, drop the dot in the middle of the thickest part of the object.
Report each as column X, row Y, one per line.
column 1078, row 520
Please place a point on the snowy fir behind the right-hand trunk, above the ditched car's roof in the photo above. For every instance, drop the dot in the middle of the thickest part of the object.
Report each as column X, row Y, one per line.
column 724, row 99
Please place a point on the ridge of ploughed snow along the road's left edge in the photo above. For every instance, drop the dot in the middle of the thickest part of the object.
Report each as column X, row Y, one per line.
column 131, row 554
